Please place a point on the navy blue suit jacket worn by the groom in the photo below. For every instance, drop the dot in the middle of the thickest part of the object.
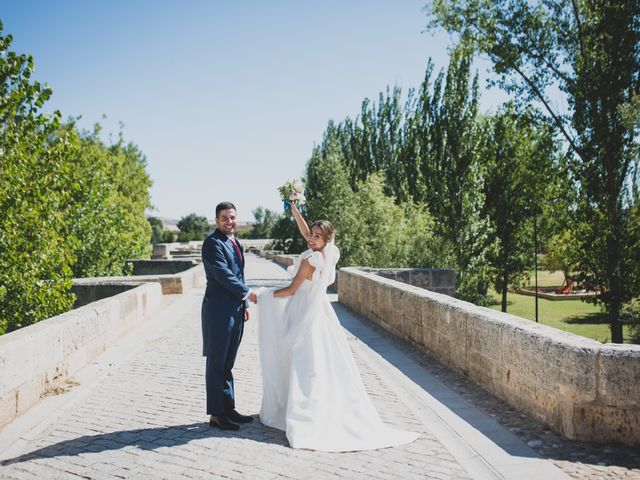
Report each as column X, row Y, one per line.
column 222, row 304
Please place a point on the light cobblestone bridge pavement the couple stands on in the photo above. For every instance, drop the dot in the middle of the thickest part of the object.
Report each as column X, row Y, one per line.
column 145, row 419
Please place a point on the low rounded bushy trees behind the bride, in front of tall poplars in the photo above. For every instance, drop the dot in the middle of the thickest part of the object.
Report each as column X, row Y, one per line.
column 371, row 228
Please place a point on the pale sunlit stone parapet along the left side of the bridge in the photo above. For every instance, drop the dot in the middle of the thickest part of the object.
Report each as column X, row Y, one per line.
column 40, row 358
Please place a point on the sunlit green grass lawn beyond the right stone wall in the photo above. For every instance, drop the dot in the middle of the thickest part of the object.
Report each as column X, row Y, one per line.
column 573, row 316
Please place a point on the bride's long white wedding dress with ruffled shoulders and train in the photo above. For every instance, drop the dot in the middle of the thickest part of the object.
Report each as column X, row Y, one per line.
column 312, row 388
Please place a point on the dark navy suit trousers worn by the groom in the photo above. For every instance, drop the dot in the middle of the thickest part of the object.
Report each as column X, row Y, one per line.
column 219, row 379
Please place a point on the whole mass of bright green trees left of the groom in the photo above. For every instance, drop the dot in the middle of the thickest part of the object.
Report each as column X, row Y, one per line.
column 70, row 205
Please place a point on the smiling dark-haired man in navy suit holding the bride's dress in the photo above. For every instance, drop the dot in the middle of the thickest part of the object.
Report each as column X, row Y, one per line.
column 224, row 311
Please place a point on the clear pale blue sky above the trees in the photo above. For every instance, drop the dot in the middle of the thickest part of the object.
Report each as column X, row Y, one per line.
column 225, row 98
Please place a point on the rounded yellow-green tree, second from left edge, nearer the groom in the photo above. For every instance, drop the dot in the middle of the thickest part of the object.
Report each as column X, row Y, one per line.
column 107, row 210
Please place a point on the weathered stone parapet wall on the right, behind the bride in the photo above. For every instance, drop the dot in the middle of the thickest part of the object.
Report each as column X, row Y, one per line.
column 579, row 387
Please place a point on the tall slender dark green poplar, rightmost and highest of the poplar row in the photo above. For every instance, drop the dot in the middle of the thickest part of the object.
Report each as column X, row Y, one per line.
column 454, row 178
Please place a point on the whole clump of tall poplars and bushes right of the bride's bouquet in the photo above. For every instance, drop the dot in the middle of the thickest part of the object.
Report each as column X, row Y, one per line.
column 426, row 153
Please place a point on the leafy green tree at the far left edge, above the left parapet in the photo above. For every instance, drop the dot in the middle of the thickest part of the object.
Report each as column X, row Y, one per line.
column 35, row 254
